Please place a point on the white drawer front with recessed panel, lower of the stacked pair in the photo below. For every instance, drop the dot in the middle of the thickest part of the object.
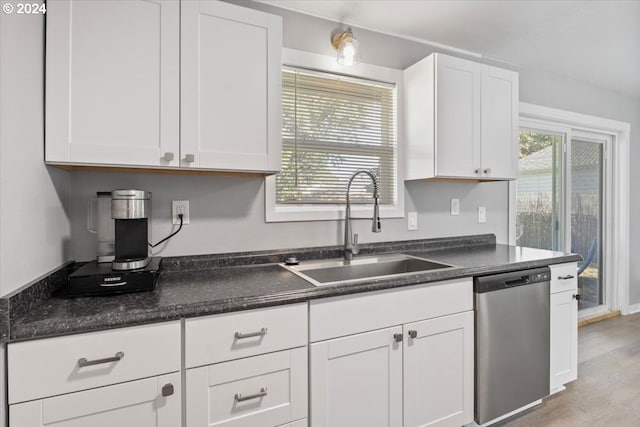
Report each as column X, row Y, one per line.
column 267, row 390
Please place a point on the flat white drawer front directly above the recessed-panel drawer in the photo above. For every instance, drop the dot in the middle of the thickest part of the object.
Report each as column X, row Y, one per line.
column 231, row 336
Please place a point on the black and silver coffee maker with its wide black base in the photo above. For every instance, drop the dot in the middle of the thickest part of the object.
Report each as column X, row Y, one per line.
column 123, row 263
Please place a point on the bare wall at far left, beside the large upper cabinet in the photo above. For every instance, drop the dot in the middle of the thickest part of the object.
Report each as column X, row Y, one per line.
column 33, row 222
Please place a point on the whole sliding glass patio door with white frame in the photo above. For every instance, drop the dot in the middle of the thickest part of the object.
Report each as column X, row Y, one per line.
column 561, row 200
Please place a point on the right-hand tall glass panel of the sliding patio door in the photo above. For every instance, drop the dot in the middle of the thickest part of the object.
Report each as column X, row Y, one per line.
column 587, row 166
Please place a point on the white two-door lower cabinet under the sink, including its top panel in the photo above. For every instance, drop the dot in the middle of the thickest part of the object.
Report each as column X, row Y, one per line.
column 416, row 373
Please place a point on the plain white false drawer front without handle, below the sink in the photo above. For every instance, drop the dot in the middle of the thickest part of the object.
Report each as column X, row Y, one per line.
column 340, row 316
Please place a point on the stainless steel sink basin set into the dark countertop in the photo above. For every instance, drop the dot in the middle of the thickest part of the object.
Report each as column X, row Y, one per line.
column 336, row 271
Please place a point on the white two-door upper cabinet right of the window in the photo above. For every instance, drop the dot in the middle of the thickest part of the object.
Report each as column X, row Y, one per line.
column 461, row 120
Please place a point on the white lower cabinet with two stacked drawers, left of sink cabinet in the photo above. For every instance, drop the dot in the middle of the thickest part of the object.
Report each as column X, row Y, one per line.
column 247, row 368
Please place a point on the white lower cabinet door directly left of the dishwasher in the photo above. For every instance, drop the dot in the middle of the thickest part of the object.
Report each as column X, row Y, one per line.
column 438, row 371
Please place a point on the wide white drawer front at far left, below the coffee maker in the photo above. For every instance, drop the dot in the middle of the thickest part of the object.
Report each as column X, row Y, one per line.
column 52, row 366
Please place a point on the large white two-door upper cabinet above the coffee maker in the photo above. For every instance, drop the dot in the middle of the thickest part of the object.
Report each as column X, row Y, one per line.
column 163, row 83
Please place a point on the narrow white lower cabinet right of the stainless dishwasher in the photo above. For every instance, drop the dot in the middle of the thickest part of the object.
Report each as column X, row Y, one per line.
column 564, row 325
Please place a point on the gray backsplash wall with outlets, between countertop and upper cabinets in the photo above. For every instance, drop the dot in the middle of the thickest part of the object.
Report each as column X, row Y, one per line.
column 227, row 214
